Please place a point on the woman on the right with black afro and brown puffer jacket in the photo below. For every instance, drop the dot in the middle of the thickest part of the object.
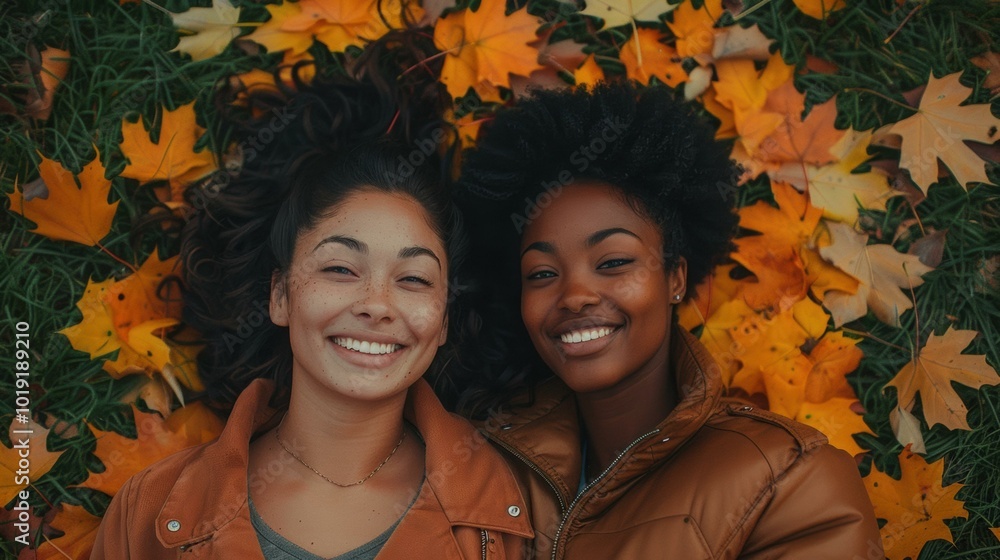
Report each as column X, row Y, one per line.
column 598, row 212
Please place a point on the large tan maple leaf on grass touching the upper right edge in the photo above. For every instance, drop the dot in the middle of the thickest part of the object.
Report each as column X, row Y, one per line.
column 940, row 129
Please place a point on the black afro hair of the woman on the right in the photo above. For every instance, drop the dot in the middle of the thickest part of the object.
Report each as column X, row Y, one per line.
column 644, row 142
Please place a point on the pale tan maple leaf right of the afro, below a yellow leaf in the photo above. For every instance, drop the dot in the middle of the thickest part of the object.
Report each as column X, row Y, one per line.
column 881, row 271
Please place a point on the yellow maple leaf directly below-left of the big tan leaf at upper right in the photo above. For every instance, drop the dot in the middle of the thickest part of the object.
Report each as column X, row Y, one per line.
column 835, row 188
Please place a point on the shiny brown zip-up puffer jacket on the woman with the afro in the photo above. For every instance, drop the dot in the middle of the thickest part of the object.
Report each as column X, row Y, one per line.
column 715, row 479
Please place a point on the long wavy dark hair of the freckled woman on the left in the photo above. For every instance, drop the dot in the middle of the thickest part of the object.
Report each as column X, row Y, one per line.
column 373, row 124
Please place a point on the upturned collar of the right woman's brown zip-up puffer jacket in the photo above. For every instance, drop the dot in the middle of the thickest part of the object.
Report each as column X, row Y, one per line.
column 547, row 434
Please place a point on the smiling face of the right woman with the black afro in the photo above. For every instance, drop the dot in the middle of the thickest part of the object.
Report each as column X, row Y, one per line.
column 595, row 297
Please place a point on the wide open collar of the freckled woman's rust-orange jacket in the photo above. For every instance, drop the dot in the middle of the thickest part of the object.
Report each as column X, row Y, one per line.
column 471, row 488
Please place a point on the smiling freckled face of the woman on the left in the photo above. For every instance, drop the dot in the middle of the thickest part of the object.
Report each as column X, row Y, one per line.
column 364, row 299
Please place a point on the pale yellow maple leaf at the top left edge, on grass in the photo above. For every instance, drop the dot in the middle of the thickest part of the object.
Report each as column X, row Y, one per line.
column 211, row 29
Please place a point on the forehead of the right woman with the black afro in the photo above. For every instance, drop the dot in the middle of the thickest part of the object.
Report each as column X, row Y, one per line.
column 583, row 207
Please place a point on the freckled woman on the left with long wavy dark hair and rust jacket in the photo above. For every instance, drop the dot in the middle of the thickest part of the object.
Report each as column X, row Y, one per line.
column 340, row 231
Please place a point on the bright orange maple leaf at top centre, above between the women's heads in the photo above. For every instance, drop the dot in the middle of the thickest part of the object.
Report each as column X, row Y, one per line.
column 486, row 46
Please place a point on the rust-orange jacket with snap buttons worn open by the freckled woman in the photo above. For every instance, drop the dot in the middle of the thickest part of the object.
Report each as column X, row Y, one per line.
column 194, row 504
